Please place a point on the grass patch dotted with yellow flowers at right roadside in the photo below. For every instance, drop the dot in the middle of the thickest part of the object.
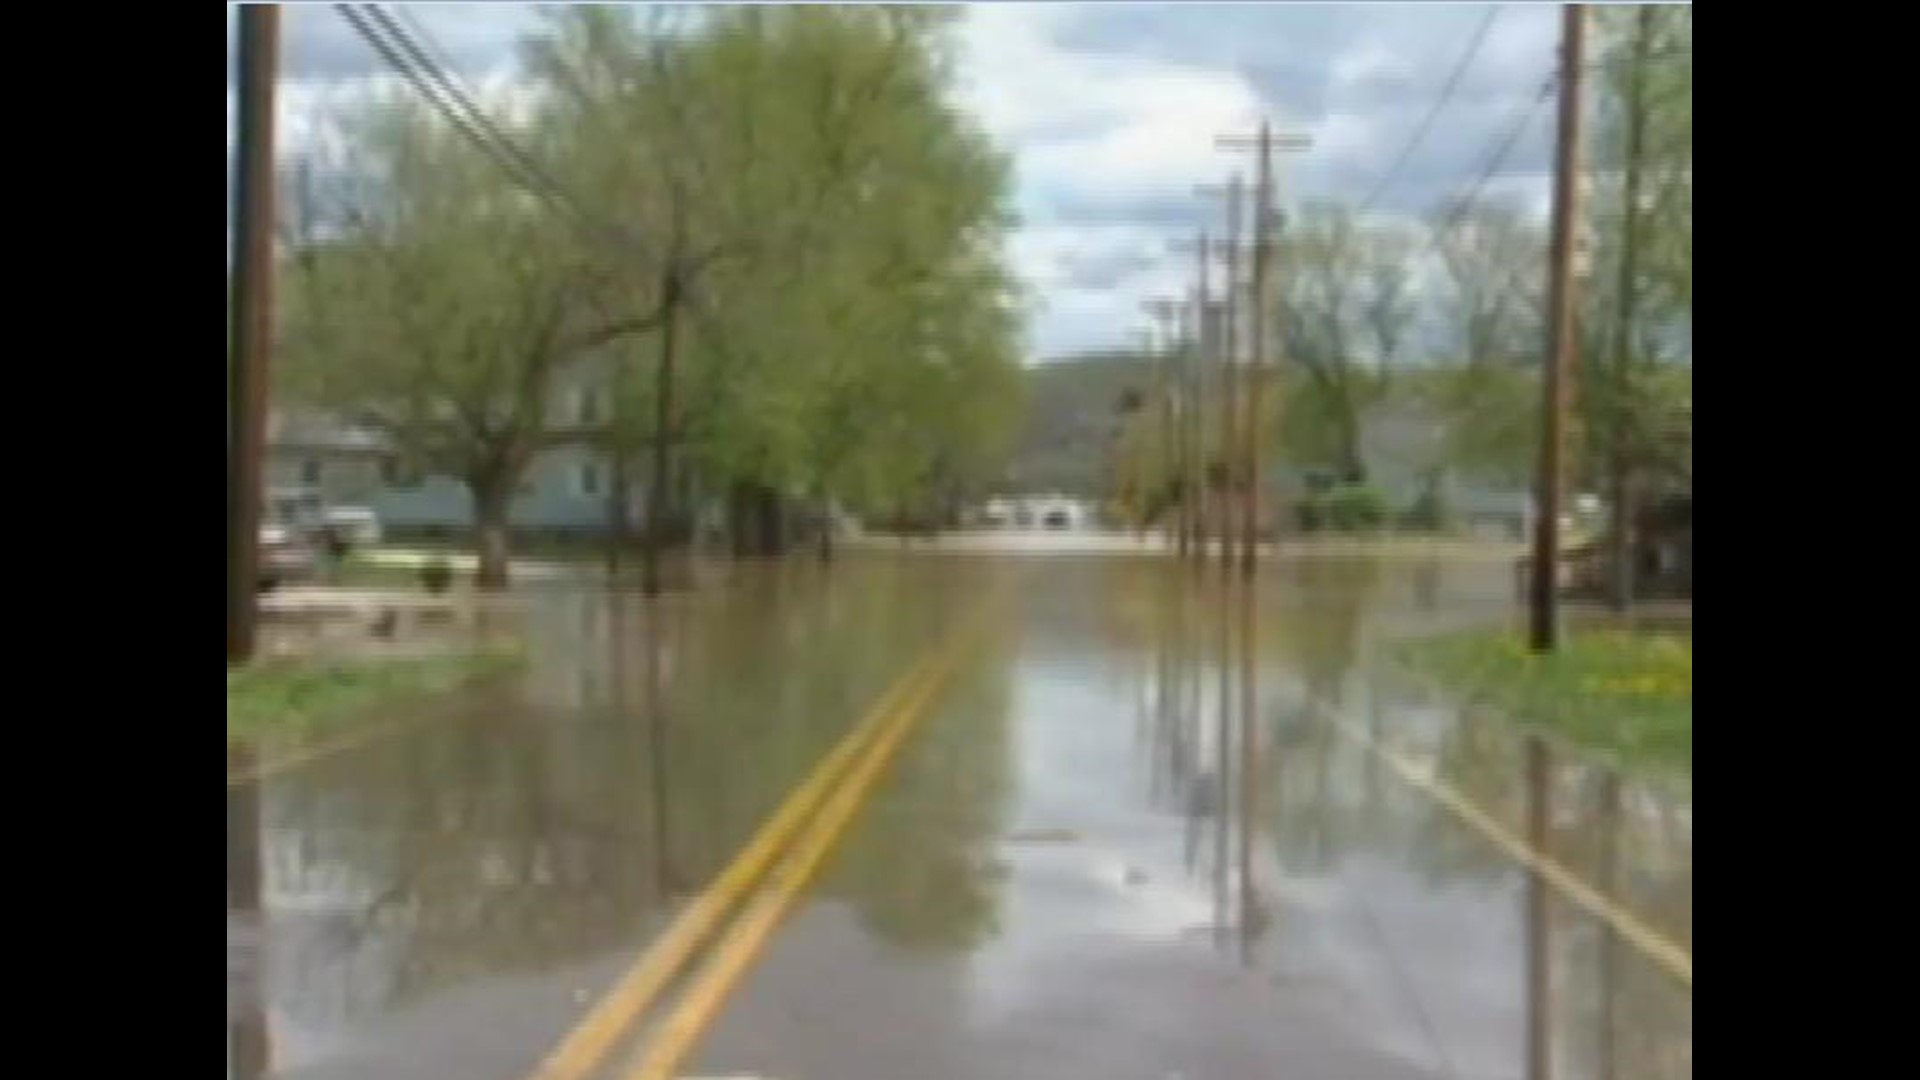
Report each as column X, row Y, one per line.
column 1627, row 695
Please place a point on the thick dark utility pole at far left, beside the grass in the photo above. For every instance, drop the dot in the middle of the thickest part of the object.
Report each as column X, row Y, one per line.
column 252, row 324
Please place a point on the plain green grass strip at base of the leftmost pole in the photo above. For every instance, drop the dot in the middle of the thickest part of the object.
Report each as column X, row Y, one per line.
column 295, row 697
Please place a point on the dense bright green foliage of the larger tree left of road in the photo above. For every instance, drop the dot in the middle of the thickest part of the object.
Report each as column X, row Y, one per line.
column 853, row 328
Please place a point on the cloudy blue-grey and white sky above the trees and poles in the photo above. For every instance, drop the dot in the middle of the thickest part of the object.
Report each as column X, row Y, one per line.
column 1111, row 116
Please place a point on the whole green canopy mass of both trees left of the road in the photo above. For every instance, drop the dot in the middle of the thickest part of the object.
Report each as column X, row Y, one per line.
column 788, row 189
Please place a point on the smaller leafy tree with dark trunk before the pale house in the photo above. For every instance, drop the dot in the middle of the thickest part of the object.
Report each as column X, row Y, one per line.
column 441, row 307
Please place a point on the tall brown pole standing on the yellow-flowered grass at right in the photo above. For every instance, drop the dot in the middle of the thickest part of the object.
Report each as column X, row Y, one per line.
column 1545, row 631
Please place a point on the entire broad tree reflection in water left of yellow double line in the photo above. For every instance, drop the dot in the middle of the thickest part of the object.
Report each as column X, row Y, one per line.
column 479, row 848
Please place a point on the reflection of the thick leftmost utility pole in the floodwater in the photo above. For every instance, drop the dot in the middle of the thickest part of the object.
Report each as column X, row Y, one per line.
column 249, row 1041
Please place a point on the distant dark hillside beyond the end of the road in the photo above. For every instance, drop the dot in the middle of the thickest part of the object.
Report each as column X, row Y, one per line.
column 1072, row 422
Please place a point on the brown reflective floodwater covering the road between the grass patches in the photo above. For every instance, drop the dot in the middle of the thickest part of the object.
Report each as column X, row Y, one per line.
column 1078, row 868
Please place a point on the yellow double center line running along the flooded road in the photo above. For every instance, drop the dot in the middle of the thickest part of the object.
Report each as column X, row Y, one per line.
column 842, row 781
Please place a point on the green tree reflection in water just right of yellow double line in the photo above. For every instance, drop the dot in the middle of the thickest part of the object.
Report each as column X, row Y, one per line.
column 919, row 862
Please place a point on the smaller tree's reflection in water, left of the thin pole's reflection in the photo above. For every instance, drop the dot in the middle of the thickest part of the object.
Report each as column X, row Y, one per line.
column 473, row 858
